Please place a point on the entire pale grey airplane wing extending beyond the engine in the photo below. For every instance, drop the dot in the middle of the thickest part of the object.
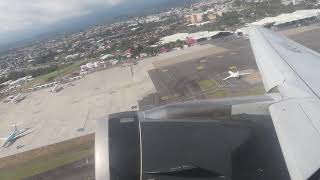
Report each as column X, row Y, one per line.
column 290, row 69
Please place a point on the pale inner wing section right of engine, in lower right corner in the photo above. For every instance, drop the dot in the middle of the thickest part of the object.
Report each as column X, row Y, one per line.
column 297, row 123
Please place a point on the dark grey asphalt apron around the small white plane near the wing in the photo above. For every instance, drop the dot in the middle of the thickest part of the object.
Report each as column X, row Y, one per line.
column 180, row 82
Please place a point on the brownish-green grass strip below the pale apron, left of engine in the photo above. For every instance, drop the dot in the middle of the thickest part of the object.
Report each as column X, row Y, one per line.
column 62, row 156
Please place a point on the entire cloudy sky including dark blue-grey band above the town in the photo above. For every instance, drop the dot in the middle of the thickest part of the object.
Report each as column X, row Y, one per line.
column 24, row 20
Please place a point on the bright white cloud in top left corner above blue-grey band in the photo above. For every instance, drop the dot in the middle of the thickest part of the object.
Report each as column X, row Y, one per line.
column 21, row 15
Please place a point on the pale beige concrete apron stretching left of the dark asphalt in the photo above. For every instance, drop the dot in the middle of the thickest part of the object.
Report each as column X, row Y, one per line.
column 57, row 116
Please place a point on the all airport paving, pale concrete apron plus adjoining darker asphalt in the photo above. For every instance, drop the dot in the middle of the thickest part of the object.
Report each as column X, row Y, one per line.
column 56, row 117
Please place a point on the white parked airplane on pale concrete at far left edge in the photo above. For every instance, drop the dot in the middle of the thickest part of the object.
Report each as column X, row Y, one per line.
column 14, row 135
